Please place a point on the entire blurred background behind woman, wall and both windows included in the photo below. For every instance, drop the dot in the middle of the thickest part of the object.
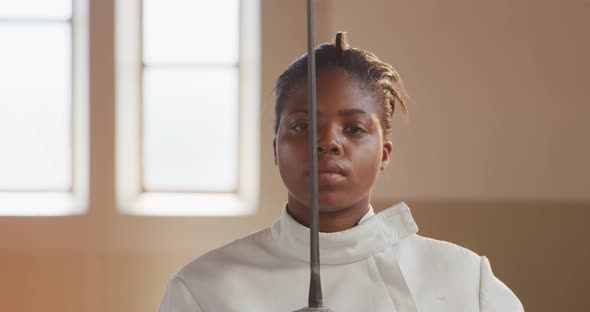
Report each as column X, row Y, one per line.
column 494, row 156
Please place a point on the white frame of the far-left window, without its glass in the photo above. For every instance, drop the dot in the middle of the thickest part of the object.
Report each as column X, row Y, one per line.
column 75, row 200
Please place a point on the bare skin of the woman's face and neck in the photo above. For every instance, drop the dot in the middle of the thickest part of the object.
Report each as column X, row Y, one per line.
column 351, row 150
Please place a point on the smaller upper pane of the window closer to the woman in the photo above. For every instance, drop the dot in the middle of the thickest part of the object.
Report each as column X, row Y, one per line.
column 191, row 31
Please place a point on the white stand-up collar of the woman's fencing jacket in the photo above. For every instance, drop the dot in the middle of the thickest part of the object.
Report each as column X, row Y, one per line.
column 371, row 236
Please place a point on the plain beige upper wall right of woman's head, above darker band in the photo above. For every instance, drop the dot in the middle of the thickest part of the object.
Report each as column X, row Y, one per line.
column 499, row 87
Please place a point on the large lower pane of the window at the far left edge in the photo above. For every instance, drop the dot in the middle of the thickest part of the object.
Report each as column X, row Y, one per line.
column 35, row 95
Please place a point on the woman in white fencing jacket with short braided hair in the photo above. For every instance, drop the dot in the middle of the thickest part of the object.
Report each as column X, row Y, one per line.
column 369, row 262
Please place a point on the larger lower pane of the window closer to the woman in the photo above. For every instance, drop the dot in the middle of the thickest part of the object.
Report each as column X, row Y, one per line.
column 190, row 129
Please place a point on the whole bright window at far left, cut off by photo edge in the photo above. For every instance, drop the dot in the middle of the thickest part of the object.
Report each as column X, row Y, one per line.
column 43, row 158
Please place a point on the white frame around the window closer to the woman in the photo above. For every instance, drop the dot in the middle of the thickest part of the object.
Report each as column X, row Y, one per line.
column 131, row 197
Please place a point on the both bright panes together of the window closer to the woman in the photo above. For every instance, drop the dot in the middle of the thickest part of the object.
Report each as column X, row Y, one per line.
column 190, row 95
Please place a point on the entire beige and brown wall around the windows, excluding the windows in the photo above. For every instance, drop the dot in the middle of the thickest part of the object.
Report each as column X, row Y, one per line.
column 495, row 156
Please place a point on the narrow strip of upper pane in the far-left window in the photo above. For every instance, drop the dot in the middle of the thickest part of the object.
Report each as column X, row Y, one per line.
column 52, row 9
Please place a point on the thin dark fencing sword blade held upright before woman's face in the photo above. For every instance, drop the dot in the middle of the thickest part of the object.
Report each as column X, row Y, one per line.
column 315, row 302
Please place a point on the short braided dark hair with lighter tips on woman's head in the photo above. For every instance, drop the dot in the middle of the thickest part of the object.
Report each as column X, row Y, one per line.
column 374, row 76
